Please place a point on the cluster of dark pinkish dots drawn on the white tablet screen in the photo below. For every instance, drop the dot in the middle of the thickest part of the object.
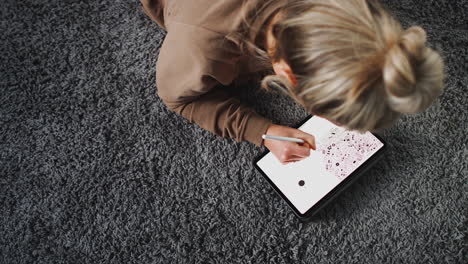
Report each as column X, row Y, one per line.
column 343, row 151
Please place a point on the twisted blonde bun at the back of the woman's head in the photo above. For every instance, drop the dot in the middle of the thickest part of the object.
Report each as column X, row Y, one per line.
column 408, row 73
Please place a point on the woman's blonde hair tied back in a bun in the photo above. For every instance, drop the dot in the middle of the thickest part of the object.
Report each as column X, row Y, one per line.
column 353, row 61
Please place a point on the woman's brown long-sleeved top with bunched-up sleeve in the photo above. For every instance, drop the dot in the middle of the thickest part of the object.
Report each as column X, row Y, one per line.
column 197, row 55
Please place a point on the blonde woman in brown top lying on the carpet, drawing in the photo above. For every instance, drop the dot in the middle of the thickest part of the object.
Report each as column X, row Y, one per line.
column 348, row 61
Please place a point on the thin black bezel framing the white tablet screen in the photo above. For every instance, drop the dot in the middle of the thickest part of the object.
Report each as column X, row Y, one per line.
column 336, row 190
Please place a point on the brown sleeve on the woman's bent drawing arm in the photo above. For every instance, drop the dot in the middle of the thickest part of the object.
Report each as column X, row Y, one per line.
column 192, row 62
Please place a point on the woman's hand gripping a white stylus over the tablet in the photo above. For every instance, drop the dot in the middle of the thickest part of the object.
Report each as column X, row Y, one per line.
column 286, row 151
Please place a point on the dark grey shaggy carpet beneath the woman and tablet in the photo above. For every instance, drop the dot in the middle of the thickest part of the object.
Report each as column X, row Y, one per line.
column 95, row 169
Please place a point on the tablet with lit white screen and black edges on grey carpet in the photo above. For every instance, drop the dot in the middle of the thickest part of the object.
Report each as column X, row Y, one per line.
column 340, row 158
